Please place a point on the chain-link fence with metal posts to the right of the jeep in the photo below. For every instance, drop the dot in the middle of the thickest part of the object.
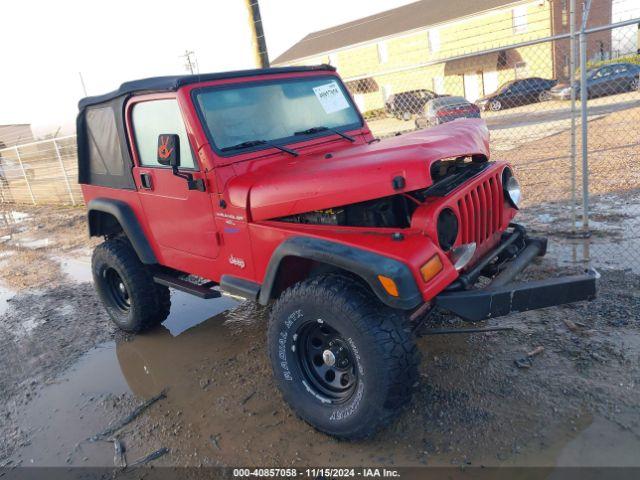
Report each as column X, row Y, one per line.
column 523, row 90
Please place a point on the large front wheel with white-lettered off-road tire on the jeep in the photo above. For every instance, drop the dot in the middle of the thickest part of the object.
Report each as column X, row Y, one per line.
column 384, row 358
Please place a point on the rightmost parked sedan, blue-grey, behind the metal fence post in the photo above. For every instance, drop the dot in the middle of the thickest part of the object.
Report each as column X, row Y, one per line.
column 606, row 80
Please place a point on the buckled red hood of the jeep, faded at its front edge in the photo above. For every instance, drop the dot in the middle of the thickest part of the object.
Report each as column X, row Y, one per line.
column 354, row 174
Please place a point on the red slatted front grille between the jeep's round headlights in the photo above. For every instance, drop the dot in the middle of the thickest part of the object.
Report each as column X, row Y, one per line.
column 481, row 210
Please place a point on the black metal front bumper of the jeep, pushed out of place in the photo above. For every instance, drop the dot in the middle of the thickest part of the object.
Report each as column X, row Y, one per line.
column 502, row 297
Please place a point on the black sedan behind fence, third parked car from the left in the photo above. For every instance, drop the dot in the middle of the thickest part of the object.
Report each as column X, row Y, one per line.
column 516, row 93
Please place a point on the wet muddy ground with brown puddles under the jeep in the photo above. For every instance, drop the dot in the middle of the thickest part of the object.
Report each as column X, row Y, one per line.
column 67, row 375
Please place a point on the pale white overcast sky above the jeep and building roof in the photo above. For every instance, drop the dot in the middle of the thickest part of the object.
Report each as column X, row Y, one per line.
column 44, row 45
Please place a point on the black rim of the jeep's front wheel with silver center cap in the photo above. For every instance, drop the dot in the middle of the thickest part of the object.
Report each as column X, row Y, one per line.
column 327, row 360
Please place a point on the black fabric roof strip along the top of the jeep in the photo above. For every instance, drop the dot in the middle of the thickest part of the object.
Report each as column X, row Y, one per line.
column 173, row 82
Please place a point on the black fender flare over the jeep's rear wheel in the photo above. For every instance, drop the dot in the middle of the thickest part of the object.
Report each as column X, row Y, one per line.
column 129, row 223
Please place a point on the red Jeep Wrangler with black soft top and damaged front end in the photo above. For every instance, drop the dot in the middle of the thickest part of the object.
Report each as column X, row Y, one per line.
column 268, row 185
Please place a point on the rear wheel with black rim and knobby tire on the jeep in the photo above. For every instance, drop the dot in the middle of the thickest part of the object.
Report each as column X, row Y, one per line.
column 126, row 287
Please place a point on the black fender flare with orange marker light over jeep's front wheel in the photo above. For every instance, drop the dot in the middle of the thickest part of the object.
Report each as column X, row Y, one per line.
column 367, row 265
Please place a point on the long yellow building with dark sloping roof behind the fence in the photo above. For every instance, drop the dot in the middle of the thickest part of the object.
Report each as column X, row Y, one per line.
column 407, row 48
